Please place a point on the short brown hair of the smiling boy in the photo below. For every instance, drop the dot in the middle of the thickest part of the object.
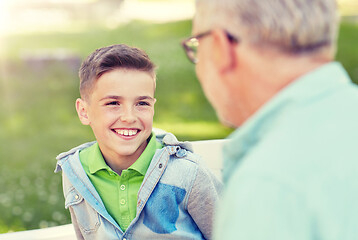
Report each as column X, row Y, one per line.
column 109, row 58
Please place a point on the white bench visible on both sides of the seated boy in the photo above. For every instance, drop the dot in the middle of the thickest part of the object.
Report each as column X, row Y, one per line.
column 210, row 150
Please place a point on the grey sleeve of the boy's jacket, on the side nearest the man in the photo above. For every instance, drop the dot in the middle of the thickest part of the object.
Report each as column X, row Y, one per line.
column 203, row 199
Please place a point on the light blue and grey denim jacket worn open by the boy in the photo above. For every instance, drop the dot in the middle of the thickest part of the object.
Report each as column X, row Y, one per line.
column 170, row 200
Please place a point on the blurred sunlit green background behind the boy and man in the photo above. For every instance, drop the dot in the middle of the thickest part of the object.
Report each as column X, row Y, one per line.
column 39, row 85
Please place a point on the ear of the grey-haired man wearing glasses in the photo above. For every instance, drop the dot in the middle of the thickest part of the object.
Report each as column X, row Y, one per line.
column 223, row 51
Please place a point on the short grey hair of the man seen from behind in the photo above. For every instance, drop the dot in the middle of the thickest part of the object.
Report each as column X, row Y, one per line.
column 294, row 26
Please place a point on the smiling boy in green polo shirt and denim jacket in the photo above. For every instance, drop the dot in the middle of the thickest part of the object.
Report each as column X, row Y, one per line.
column 131, row 184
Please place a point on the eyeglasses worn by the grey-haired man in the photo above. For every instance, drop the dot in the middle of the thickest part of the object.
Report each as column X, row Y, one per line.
column 191, row 45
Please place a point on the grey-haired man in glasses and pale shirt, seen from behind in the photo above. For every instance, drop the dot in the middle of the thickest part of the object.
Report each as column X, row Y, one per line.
column 291, row 168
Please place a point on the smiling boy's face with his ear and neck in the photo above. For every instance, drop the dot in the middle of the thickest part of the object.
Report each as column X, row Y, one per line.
column 120, row 111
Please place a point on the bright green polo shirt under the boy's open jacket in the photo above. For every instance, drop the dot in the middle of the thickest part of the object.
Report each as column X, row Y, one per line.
column 118, row 192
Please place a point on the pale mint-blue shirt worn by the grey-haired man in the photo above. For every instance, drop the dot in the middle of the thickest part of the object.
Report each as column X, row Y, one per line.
column 291, row 171
